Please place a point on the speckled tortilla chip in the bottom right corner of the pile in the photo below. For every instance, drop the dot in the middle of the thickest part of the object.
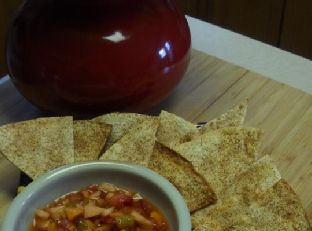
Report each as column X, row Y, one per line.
column 278, row 208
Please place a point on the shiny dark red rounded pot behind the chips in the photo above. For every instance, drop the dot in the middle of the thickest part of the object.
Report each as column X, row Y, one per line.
column 93, row 56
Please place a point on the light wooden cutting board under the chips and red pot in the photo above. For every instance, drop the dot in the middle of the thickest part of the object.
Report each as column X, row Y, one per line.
column 209, row 88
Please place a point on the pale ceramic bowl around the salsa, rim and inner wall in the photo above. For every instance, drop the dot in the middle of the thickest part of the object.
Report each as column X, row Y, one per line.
column 76, row 176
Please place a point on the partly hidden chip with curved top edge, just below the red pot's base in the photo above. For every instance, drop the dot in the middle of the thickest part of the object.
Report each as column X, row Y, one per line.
column 120, row 122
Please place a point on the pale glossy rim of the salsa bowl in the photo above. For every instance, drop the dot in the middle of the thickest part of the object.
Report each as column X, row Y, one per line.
column 180, row 207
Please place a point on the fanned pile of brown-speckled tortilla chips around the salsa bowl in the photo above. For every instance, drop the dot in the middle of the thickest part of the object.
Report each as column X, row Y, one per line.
column 225, row 182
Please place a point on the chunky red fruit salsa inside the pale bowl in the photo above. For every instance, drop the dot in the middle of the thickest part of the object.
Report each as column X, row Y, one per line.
column 100, row 207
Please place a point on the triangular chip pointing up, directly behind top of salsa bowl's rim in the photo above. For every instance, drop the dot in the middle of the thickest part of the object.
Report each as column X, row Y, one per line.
column 136, row 146
